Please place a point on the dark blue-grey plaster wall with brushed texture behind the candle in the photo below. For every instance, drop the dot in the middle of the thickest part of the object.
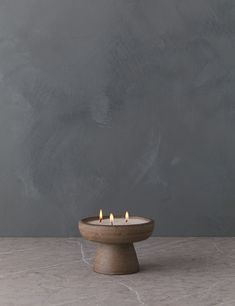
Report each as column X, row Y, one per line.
column 119, row 105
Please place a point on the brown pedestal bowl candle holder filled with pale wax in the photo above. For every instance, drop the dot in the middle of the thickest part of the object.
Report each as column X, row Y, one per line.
column 115, row 253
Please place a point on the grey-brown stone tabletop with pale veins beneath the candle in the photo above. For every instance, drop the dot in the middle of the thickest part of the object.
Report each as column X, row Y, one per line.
column 175, row 271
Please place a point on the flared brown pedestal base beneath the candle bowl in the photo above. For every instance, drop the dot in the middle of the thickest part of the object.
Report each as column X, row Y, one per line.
column 116, row 259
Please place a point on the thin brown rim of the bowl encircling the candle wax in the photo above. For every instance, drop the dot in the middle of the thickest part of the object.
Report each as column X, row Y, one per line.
column 87, row 219
